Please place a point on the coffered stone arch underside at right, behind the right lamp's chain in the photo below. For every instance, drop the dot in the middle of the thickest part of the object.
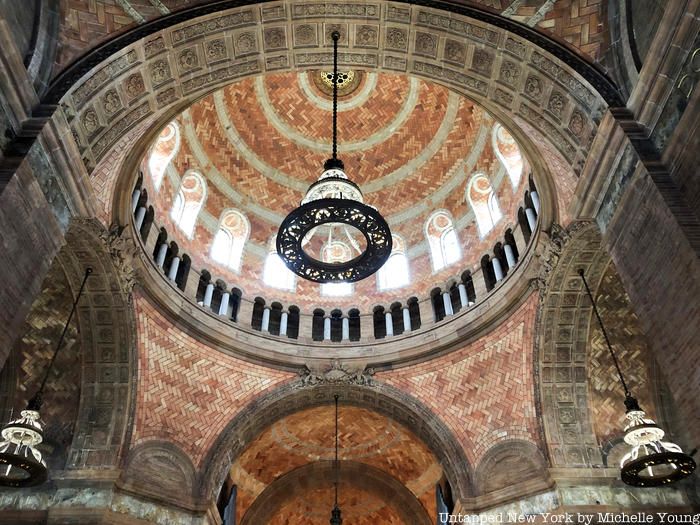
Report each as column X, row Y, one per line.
column 561, row 352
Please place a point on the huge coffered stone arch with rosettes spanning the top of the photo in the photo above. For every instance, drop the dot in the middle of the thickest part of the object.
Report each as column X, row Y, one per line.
column 133, row 84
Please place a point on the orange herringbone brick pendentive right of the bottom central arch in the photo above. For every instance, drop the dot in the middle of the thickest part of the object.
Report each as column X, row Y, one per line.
column 484, row 392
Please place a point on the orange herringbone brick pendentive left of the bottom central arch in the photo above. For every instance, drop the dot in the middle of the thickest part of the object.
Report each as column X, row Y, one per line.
column 187, row 391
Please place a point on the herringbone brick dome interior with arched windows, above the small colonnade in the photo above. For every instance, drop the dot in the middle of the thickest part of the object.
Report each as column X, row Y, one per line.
column 446, row 176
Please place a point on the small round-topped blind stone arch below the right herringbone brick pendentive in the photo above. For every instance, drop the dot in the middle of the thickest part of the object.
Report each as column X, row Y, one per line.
column 508, row 463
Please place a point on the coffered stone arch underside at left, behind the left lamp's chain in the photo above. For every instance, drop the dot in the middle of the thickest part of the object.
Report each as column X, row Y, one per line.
column 108, row 346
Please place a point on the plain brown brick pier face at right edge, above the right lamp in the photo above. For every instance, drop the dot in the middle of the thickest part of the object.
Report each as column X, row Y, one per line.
column 664, row 288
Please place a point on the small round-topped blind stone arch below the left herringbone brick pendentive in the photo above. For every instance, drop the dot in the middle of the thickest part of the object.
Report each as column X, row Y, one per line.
column 162, row 471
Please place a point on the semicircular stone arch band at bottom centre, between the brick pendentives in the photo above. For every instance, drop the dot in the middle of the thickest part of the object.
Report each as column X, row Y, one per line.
column 293, row 397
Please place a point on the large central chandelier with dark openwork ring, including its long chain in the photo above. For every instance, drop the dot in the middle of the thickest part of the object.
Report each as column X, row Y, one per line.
column 333, row 236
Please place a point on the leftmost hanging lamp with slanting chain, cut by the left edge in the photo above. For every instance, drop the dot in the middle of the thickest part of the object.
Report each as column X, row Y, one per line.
column 21, row 463
